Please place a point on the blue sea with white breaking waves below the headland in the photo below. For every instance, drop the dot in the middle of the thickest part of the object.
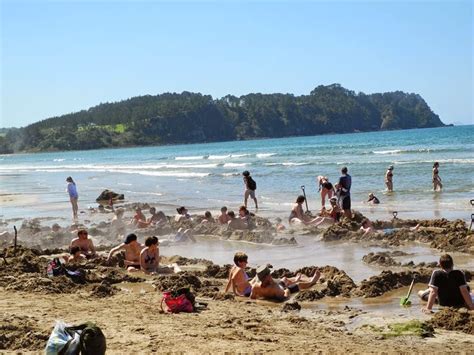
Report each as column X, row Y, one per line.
column 208, row 176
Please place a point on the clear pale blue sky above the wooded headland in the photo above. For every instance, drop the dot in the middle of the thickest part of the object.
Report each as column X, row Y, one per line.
column 59, row 57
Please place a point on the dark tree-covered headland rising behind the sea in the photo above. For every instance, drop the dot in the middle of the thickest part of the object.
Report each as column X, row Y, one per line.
column 187, row 117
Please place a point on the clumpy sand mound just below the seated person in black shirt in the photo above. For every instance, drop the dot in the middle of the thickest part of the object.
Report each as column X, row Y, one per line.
column 454, row 319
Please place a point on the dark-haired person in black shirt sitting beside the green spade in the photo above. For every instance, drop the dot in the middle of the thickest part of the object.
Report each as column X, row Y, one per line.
column 448, row 286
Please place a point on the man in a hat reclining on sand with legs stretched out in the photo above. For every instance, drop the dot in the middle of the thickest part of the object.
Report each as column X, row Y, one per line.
column 279, row 290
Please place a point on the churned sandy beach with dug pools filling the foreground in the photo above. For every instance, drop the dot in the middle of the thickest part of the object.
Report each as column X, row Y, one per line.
column 352, row 309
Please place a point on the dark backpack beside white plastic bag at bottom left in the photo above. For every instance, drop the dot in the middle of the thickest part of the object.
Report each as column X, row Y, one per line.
column 91, row 340
